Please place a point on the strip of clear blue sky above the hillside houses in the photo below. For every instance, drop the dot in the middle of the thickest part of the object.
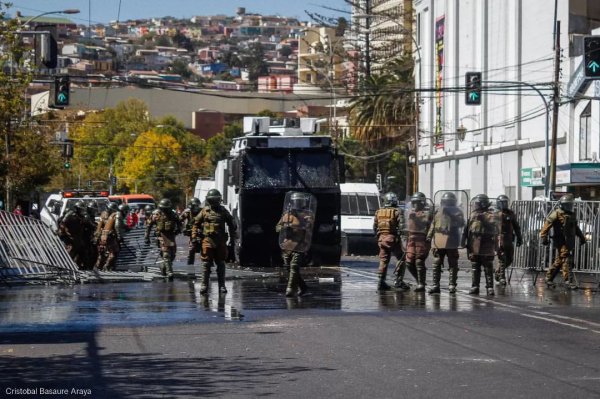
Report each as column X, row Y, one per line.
column 108, row 10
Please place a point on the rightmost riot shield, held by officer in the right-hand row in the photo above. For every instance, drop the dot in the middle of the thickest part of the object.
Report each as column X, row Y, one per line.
column 484, row 224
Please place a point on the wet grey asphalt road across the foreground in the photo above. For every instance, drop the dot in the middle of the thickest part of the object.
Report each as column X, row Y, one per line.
column 160, row 339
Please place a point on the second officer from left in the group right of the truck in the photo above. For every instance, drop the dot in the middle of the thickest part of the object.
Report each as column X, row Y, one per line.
column 418, row 223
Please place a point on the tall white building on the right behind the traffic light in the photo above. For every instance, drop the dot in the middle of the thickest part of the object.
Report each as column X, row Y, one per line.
column 503, row 151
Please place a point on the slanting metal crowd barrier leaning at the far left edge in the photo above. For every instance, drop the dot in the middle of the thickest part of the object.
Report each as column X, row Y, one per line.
column 30, row 251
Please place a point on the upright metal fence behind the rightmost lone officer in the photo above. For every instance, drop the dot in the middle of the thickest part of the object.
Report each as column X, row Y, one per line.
column 532, row 255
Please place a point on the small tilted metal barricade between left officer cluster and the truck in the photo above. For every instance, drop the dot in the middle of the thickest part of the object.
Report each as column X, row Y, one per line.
column 135, row 254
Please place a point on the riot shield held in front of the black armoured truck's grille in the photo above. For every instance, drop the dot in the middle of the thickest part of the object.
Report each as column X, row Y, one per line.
column 297, row 220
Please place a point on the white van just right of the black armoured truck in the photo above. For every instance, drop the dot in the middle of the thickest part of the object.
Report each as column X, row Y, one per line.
column 360, row 201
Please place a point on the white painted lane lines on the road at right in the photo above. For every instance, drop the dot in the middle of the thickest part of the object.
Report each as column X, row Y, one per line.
column 534, row 314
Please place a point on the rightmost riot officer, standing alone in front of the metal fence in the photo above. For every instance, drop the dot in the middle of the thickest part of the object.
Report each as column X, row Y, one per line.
column 565, row 228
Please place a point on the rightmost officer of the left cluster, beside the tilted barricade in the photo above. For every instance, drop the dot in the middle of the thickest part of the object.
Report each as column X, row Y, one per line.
column 110, row 236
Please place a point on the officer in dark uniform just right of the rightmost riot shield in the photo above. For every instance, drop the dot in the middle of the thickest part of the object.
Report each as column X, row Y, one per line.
column 509, row 230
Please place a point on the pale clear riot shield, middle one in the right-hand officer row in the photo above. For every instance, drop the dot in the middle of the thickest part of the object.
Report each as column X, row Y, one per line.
column 449, row 221
